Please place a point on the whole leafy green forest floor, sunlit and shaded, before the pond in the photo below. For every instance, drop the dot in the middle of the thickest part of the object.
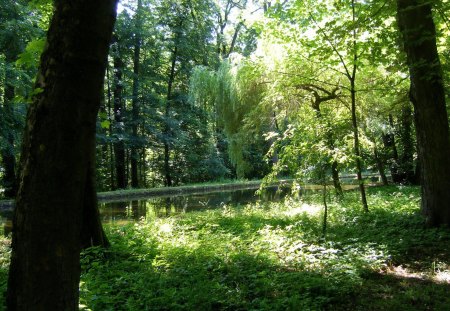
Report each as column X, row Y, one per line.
column 273, row 256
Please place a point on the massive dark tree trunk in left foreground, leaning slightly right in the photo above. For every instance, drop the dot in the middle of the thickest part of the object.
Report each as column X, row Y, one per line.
column 56, row 193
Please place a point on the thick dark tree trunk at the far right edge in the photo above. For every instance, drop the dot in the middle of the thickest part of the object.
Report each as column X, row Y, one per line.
column 427, row 94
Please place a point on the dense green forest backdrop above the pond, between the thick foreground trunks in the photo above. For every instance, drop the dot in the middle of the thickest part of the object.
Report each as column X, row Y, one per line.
column 199, row 90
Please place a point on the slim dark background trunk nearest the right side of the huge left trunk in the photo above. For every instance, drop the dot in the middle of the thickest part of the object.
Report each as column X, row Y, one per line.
column 119, row 145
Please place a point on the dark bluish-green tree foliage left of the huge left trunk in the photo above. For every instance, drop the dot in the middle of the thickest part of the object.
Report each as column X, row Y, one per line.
column 16, row 24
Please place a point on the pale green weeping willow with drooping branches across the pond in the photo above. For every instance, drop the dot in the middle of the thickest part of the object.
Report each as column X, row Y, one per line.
column 233, row 93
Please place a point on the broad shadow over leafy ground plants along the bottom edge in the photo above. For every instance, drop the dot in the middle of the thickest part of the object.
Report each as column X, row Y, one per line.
column 199, row 281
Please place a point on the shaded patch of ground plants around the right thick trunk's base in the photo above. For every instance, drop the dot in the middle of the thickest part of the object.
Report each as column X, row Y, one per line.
column 403, row 235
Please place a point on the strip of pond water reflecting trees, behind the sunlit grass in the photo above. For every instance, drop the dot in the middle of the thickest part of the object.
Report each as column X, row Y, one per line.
column 171, row 205
